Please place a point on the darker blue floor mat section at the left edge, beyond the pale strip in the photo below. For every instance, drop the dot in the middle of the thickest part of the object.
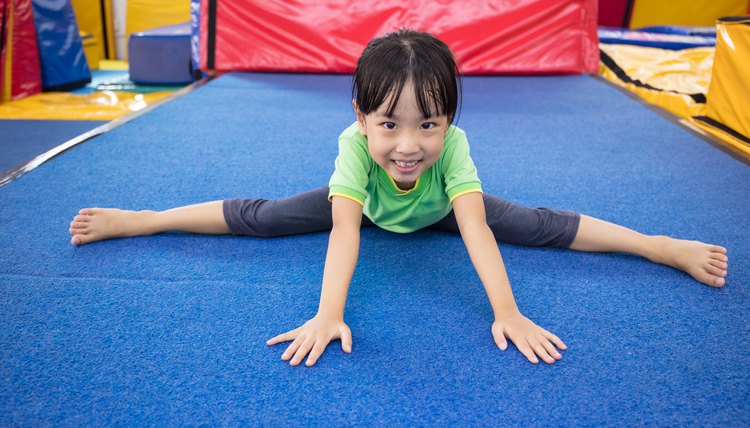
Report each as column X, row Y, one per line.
column 23, row 140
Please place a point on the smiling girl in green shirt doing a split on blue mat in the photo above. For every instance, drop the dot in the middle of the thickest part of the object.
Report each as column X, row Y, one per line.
column 402, row 166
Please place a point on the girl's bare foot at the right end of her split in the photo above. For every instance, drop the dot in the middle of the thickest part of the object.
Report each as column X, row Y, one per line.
column 704, row 262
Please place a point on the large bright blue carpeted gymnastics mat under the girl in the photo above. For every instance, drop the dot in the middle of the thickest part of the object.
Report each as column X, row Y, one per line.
column 171, row 329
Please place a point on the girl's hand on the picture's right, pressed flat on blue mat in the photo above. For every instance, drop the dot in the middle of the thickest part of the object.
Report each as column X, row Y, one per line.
column 528, row 337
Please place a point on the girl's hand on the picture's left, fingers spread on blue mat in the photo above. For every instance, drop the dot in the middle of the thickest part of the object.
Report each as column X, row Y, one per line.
column 312, row 338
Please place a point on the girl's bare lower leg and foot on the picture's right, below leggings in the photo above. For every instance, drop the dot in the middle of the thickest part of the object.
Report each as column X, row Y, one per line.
column 704, row 262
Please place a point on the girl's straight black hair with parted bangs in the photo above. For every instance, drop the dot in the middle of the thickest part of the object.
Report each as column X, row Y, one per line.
column 388, row 62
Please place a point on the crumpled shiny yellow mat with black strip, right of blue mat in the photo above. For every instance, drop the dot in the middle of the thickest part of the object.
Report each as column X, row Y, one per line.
column 663, row 77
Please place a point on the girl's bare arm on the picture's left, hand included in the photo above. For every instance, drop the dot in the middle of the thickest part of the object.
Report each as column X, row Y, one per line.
column 328, row 324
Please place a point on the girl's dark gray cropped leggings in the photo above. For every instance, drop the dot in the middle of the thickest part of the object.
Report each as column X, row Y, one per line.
column 311, row 212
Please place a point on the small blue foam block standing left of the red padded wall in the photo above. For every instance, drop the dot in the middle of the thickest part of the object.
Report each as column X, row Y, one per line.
column 161, row 56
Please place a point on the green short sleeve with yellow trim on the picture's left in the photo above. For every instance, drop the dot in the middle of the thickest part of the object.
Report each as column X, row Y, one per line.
column 350, row 177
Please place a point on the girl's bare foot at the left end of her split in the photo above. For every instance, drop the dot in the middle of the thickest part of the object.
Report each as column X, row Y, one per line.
column 96, row 224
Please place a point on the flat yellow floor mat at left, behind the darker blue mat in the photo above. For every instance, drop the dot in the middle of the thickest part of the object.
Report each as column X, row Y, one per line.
column 102, row 105
